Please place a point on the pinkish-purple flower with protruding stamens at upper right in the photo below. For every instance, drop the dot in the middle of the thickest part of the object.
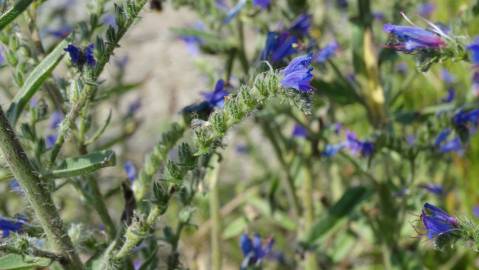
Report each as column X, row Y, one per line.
column 411, row 38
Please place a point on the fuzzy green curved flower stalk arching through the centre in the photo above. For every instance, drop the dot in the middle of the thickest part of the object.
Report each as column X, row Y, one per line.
column 207, row 138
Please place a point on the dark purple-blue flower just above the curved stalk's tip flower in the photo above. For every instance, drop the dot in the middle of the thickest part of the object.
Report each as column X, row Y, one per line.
column 278, row 46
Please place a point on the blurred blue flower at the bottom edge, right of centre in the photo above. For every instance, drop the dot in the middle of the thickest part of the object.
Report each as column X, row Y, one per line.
column 253, row 250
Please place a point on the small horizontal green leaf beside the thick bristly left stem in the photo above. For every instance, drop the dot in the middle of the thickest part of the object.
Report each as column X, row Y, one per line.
column 76, row 166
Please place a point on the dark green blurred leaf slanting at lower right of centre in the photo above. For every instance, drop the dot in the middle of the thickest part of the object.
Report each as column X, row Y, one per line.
column 346, row 204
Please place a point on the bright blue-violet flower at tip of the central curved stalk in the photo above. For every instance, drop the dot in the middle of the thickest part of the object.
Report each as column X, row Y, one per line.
column 298, row 74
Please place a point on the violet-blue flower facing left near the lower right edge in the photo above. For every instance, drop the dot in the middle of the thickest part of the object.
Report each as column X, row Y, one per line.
column 437, row 222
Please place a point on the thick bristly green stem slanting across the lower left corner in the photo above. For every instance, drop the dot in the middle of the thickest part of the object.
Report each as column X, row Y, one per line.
column 38, row 195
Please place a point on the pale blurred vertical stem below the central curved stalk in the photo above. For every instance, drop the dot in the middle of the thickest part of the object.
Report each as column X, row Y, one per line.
column 212, row 177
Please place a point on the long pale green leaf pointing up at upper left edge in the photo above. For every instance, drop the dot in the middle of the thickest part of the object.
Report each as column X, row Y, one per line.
column 34, row 80
